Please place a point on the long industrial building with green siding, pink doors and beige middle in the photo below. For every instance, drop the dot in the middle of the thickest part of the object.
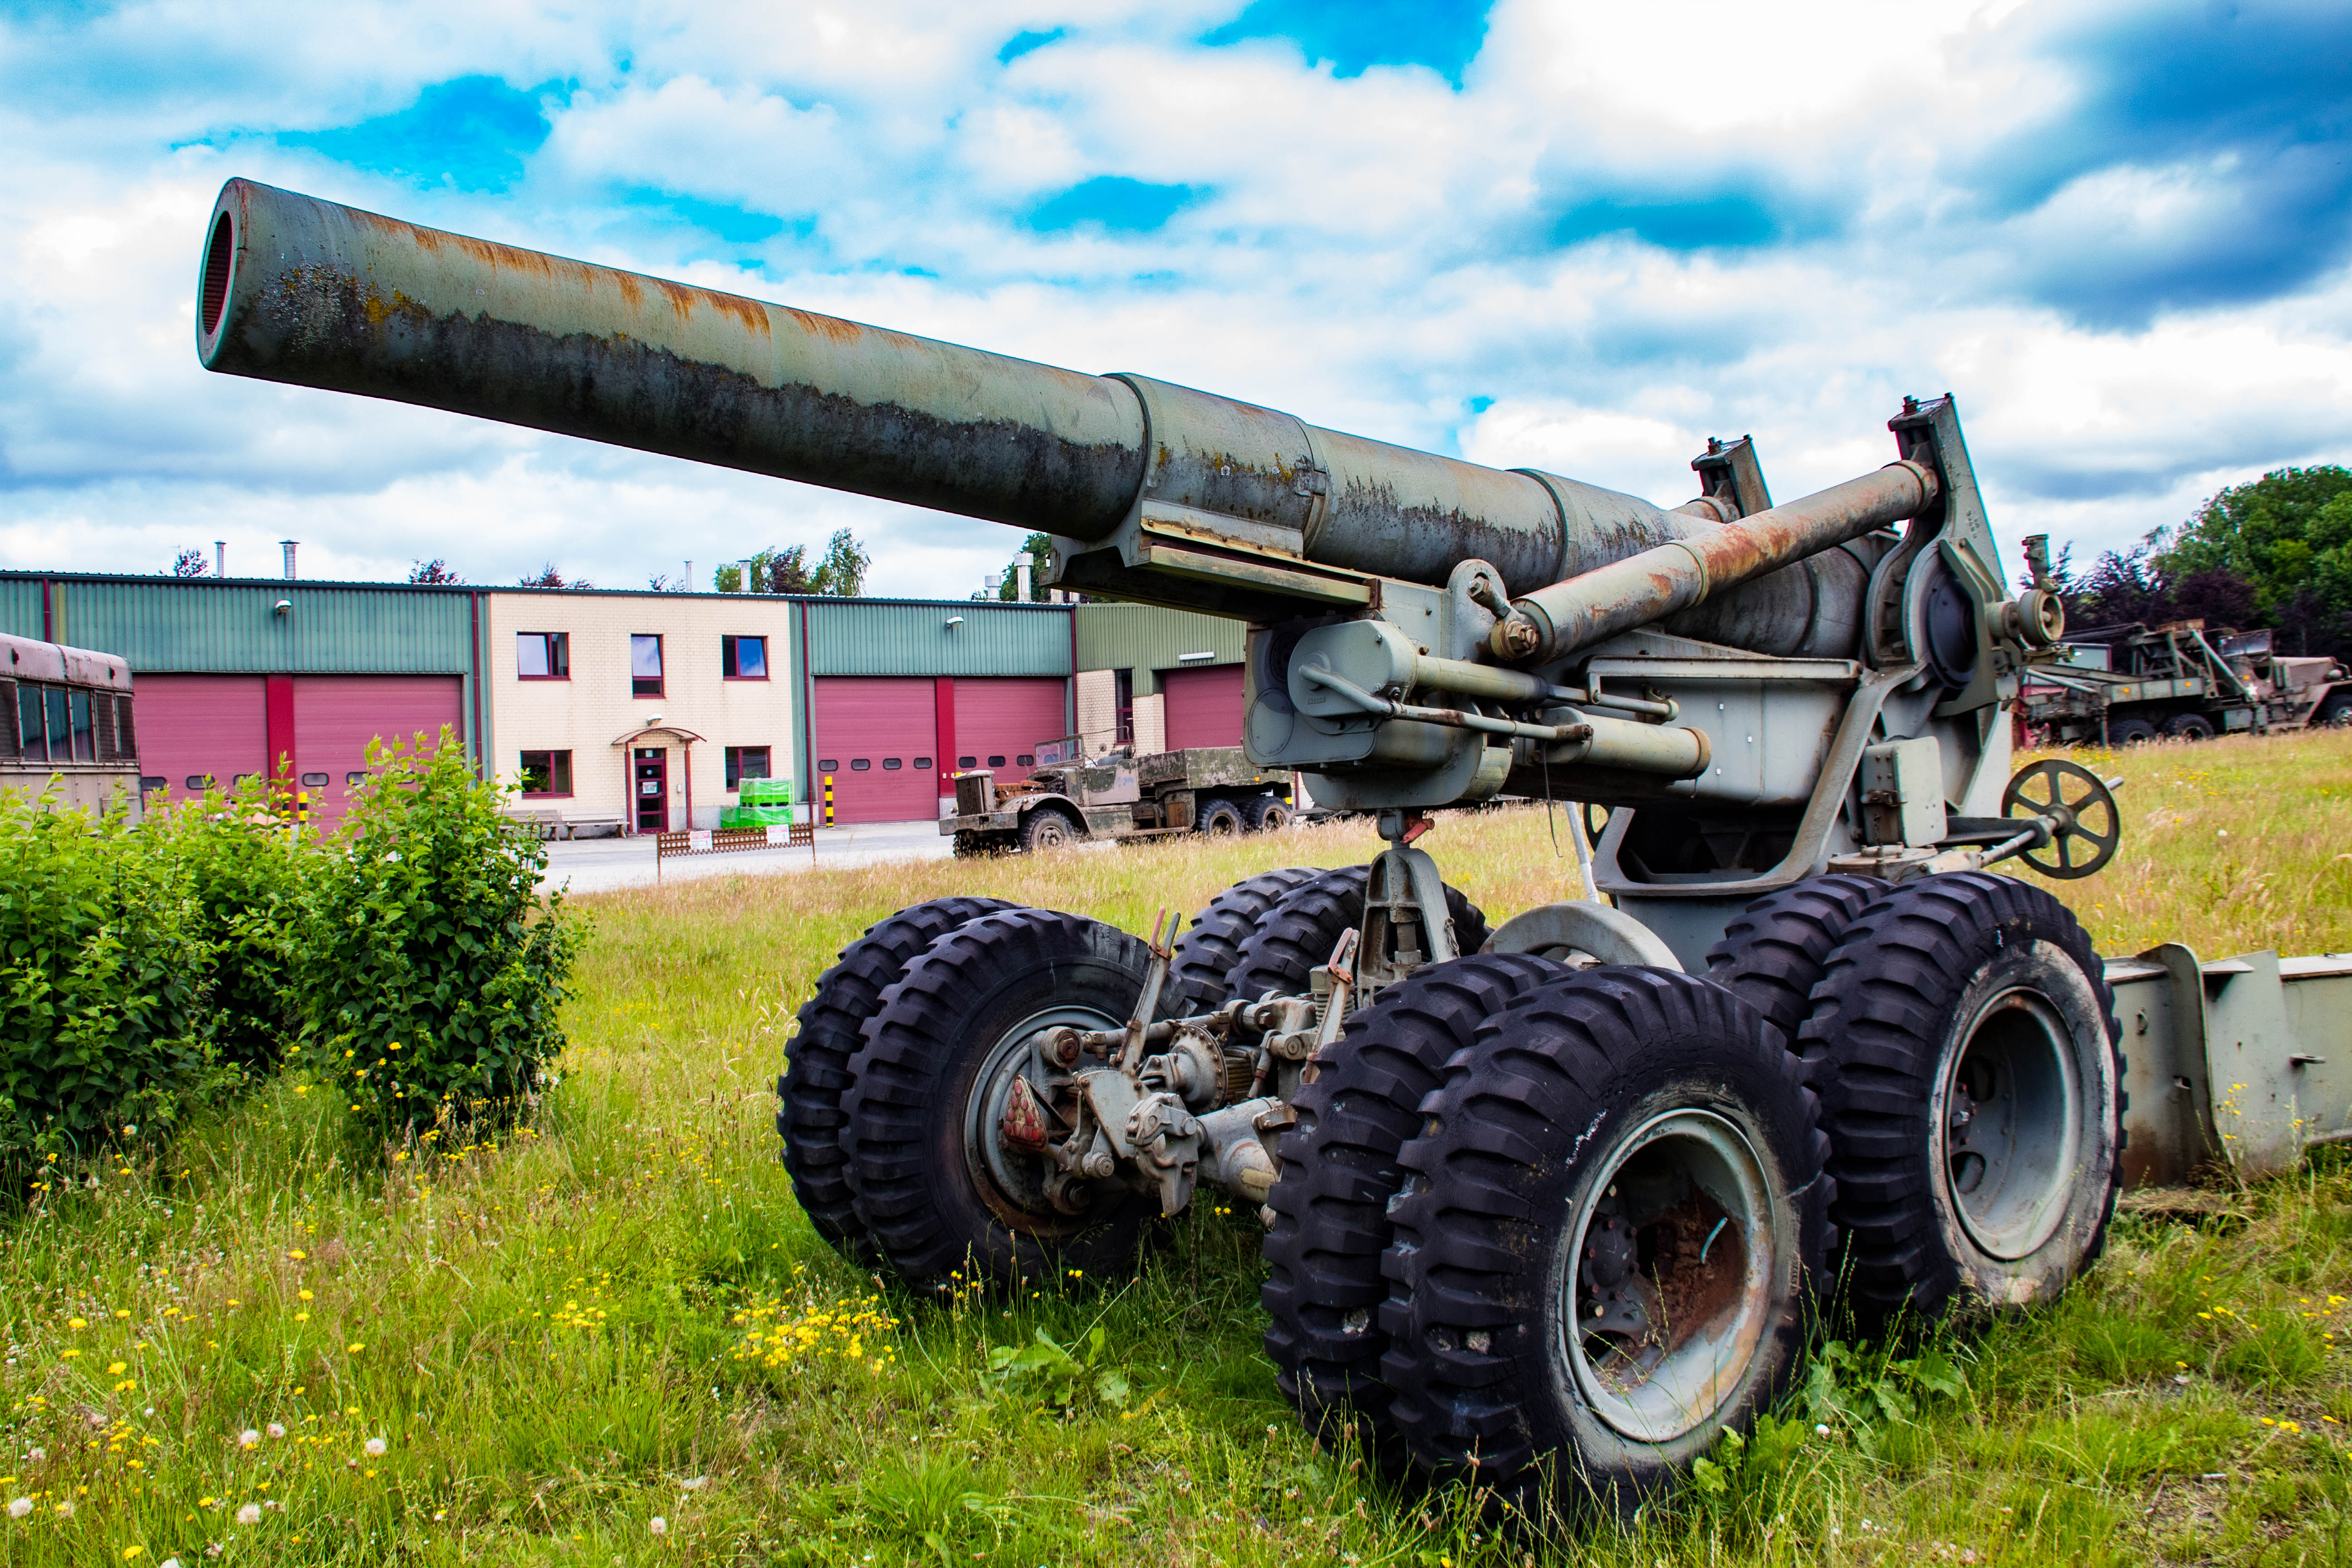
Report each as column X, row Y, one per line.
column 622, row 709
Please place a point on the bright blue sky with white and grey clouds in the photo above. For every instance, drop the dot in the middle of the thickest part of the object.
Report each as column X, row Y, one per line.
column 1549, row 234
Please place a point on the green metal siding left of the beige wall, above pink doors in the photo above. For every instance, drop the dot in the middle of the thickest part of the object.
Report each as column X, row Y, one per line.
column 232, row 629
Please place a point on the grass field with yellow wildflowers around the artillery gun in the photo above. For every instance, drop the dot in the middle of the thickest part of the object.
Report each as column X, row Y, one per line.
column 613, row 1339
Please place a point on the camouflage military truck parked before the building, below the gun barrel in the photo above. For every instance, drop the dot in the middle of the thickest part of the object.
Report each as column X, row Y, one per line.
column 1069, row 798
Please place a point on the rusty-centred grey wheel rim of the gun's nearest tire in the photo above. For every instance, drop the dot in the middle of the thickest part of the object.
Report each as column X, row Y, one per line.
column 1671, row 1275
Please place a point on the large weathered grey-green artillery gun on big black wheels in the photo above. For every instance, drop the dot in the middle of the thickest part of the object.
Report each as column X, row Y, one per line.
column 1546, row 1205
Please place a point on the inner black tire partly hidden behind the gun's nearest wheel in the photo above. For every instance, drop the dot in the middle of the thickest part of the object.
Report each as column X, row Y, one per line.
column 1358, row 1106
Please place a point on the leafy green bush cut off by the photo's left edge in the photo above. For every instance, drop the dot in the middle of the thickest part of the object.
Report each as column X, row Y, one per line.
column 102, row 984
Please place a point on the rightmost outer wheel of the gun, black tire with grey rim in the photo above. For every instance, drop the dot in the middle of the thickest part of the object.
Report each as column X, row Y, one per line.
column 1972, row 1097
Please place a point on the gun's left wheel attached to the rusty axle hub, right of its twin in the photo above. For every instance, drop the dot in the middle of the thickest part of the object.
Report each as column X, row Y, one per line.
column 944, row 1198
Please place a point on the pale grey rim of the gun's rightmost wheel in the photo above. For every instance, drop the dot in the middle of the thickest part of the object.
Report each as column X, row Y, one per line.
column 2007, row 1125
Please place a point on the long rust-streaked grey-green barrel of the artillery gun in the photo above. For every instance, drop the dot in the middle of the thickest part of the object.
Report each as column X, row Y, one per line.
column 321, row 295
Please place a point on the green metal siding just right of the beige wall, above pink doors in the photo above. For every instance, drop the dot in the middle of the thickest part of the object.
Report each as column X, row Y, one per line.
column 914, row 638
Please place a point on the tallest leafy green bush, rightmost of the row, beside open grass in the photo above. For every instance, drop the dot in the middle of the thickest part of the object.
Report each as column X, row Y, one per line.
column 429, row 970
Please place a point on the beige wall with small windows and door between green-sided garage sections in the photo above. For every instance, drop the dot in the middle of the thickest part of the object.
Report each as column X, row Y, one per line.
column 594, row 709
